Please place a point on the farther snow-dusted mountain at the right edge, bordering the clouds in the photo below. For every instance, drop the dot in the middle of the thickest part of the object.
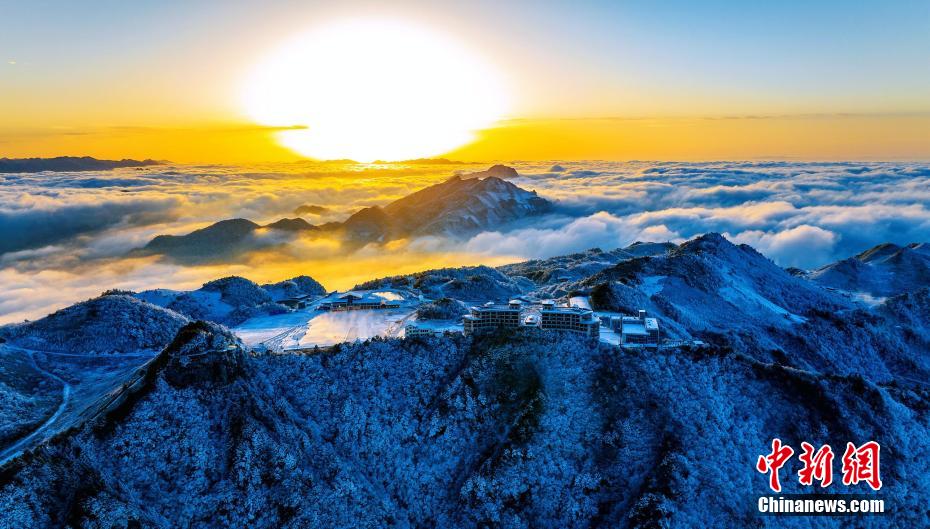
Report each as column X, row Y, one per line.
column 882, row 271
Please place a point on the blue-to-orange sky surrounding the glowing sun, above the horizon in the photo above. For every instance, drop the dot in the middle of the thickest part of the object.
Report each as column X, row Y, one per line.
column 598, row 80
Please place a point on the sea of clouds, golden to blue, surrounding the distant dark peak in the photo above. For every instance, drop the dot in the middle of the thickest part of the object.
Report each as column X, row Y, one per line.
column 65, row 235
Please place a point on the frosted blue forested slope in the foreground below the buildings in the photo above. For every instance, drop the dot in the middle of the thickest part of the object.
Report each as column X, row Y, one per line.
column 536, row 430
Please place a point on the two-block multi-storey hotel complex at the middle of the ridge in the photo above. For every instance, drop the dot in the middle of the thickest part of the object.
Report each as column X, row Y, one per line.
column 543, row 315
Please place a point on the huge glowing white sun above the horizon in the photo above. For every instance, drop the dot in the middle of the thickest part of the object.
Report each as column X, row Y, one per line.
column 374, row 90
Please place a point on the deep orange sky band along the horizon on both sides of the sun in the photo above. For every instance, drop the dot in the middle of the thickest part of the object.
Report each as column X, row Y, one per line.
column 817, row 137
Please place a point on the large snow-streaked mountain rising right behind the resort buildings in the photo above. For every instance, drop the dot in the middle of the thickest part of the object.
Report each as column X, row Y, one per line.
column 714, row 290
